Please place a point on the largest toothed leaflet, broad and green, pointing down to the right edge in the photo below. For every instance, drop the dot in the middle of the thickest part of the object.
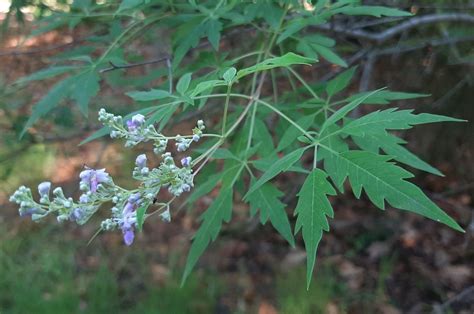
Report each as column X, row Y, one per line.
column 382, row 181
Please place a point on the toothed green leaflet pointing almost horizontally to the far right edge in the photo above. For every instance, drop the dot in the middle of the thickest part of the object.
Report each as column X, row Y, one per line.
column 378, row 122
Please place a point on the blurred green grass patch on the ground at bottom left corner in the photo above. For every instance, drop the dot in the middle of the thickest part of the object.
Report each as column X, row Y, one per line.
column 38, row 276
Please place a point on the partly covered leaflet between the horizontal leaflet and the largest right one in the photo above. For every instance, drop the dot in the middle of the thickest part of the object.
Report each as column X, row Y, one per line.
column 391, row 145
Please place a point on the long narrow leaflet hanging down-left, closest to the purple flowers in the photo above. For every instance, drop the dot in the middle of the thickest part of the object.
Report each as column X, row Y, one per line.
column 219, row 211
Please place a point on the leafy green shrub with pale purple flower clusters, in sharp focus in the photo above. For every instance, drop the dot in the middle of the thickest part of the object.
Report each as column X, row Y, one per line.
column 261, row 99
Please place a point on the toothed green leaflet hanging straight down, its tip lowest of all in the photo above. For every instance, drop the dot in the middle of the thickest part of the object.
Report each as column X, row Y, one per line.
column 312, row 208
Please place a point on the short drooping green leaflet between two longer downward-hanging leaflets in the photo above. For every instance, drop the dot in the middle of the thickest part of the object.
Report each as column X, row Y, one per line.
column 266, row 198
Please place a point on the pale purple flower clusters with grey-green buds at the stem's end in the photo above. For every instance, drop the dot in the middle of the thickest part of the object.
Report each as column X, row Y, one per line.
column 98, row 187
